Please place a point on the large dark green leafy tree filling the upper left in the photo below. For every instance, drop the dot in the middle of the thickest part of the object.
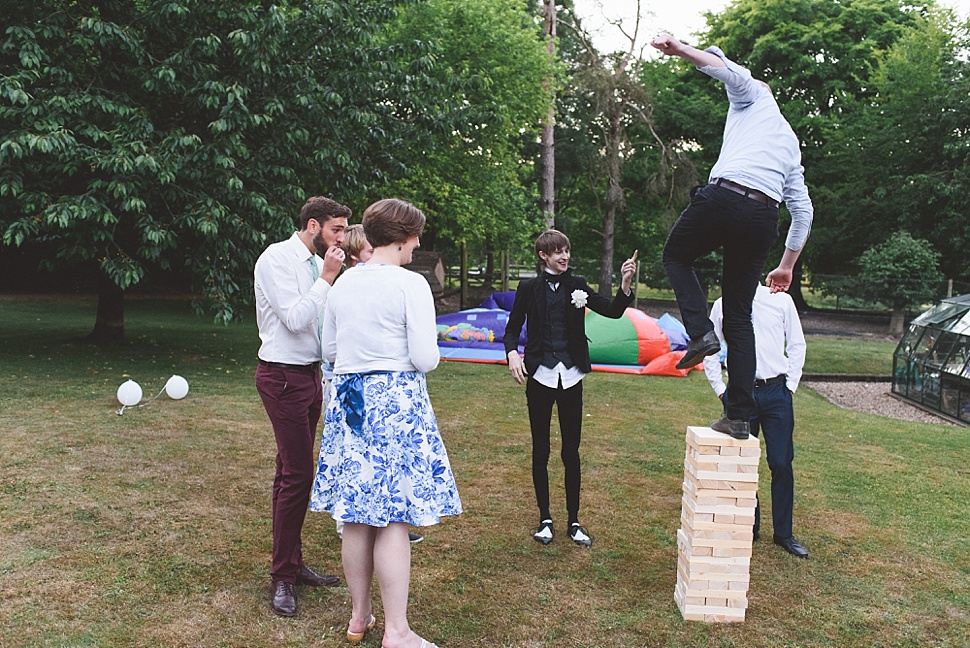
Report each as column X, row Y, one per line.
column 184, row 134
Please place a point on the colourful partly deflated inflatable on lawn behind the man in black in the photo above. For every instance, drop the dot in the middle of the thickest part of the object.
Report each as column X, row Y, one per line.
column 635, row 344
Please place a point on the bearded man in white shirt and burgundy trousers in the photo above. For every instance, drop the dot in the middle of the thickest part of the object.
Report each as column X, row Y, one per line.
column 291, row 284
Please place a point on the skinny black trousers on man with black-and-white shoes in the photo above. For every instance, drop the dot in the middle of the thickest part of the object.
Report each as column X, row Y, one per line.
column 569, row 403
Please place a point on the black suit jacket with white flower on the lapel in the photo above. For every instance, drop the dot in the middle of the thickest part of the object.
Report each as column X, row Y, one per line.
column 530, row 308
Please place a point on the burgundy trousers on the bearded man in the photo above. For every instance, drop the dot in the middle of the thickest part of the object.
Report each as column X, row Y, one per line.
column 292, row 399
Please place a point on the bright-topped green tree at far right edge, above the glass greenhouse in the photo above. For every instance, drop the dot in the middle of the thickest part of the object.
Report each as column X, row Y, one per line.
column 900, row 157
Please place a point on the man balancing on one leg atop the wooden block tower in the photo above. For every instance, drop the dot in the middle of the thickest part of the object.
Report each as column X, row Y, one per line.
column 758, row 168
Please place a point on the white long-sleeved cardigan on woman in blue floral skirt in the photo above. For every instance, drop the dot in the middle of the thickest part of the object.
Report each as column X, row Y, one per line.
column 380, row 318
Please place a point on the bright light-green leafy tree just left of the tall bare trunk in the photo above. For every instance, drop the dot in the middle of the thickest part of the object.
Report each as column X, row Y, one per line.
column 470, row 172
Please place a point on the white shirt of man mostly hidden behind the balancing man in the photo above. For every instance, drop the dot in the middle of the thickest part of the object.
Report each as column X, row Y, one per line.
column 779, row 341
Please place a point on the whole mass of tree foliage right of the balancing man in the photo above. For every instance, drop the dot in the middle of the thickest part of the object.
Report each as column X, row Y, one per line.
column 876, row 89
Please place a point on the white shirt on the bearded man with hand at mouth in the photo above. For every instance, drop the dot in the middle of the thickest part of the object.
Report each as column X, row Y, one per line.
column 290, row 298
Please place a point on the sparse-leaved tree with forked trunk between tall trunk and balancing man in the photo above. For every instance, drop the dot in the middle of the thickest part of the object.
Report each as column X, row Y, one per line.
column 608, row 152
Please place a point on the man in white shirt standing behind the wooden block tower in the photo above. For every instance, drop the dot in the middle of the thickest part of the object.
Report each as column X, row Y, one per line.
column 777, row 330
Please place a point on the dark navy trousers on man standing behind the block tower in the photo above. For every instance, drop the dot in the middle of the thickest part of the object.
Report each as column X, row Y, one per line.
column 776, row 419
